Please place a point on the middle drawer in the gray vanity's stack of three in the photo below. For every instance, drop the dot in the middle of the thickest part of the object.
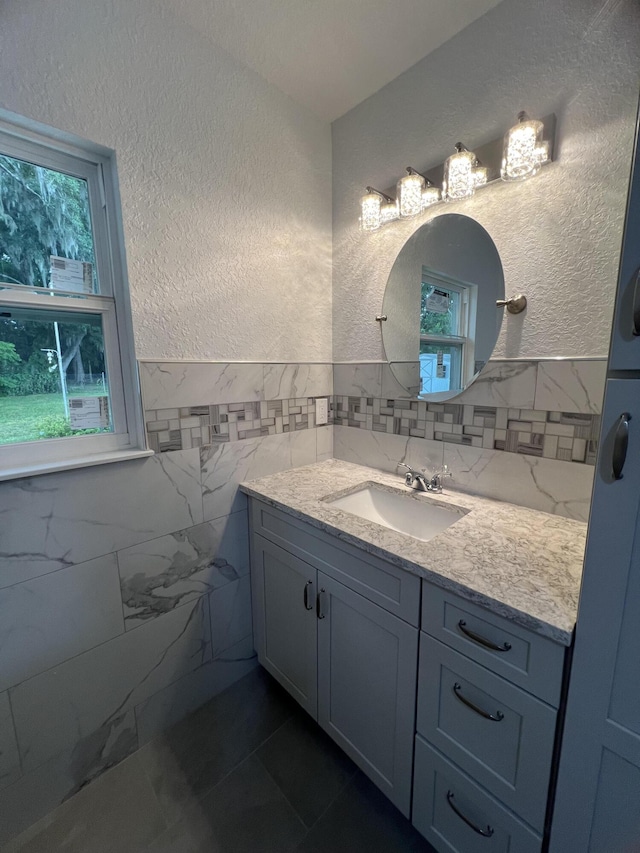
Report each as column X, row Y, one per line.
column 500, row 735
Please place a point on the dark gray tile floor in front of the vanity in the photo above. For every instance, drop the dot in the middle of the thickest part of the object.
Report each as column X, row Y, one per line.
column 249, row 772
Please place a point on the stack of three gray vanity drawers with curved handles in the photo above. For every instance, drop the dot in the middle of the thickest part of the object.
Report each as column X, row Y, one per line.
column 484, row 745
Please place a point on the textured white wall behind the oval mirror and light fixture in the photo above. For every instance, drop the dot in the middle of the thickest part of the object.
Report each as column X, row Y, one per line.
column 559, row 234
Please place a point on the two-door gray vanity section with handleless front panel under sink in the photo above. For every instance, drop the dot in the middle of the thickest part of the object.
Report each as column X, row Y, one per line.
column 326, row 629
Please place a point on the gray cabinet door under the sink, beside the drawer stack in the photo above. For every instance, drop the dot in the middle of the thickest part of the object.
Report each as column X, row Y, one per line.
column 367, row 672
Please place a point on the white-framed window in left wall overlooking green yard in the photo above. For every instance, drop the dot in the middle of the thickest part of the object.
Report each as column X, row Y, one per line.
column 68, row 380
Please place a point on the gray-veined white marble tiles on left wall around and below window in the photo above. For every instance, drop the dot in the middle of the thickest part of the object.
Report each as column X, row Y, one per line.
column 124, row 589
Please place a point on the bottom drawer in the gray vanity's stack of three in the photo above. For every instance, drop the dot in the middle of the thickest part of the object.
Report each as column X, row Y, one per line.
column 455, row 814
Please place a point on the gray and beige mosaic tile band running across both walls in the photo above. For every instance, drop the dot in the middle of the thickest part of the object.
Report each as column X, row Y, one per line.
column 567, row 436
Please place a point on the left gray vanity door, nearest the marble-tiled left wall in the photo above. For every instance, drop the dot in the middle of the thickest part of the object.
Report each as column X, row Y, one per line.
column 284, row 620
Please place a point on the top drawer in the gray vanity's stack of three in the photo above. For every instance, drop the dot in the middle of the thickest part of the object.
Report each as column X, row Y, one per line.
column 529, row 660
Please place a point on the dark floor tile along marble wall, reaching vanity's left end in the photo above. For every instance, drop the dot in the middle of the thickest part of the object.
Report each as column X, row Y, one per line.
column 193, row 756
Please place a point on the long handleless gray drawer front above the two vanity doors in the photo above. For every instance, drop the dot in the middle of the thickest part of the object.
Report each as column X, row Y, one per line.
column 386, row 585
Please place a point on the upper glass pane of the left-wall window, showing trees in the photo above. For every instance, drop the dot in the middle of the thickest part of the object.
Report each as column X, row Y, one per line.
column 45, row 220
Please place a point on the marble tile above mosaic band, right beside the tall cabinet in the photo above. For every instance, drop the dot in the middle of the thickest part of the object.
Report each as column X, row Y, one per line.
column 571, row 385
